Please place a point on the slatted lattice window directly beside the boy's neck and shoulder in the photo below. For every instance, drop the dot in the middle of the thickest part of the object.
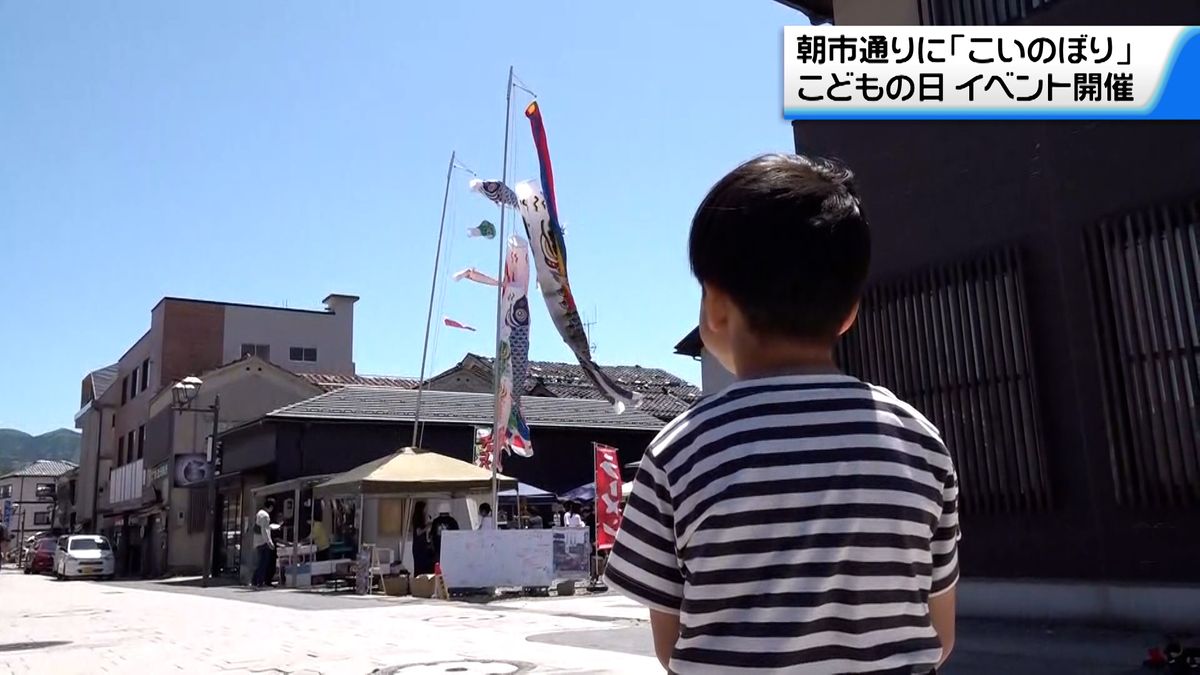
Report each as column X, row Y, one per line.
column 955, row 342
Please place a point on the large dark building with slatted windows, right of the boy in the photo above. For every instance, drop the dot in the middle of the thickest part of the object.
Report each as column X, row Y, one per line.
column 1034, row 290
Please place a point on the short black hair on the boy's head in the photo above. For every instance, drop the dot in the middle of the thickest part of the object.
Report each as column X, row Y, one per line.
column 785, row 236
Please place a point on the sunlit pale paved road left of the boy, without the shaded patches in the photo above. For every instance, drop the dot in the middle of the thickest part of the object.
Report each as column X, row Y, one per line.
column 76, row 628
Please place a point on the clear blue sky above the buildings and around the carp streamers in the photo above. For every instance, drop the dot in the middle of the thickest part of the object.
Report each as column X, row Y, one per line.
column 278, row 152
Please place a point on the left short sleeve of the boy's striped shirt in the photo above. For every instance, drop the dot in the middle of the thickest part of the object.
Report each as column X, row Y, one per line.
column 644, row 564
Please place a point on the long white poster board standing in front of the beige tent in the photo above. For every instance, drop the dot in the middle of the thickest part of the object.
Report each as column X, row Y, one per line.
column 483, row 559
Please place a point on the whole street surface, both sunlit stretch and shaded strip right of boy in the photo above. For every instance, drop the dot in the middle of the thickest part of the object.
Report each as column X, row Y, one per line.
column 67, row 628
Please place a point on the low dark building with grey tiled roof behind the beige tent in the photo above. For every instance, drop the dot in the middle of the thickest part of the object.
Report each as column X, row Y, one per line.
column 355, row 425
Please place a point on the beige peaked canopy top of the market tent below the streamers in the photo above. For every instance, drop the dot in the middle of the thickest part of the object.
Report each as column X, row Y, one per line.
column 412, row 471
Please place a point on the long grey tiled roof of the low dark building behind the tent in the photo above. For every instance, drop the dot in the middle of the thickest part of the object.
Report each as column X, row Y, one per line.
column 392, row 404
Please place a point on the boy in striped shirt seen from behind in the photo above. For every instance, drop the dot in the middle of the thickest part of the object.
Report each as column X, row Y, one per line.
column 800, row 521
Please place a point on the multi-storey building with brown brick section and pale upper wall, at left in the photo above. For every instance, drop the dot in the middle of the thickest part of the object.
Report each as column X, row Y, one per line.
column 187, row 338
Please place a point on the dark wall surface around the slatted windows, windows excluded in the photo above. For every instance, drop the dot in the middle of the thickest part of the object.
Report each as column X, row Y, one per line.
column 943, row 193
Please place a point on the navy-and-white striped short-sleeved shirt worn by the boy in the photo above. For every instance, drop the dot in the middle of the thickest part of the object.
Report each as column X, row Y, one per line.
column 795, row 524
